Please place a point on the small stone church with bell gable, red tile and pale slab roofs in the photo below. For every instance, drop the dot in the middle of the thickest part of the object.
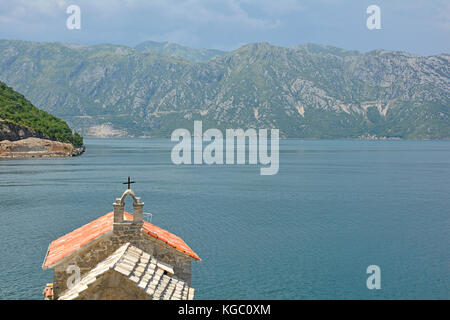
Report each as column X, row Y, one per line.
column 119, row 256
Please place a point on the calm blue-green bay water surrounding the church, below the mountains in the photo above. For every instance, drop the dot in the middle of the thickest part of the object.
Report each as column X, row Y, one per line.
column 309, row 232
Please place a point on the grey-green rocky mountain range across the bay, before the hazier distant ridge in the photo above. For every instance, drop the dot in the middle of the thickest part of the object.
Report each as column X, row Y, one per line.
column 307, row 91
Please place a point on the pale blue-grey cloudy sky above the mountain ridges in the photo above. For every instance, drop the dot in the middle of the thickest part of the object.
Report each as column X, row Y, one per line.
column 416, row 26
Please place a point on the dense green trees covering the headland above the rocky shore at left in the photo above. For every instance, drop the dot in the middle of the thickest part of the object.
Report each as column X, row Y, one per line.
column 16, row 109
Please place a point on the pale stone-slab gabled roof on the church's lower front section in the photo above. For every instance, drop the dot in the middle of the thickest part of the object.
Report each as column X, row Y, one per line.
column 146, row 272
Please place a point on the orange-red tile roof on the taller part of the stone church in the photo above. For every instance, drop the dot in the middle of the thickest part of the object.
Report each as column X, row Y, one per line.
column 80, row 237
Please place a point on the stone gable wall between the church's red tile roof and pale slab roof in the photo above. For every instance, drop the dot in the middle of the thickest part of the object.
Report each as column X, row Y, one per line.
column 88, row 257
